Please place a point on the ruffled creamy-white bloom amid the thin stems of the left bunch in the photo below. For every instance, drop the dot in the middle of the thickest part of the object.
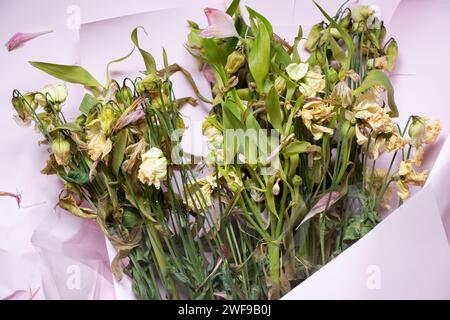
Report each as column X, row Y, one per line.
column 153, row 168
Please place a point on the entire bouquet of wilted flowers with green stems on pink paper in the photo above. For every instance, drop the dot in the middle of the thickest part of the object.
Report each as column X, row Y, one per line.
column 292, row 176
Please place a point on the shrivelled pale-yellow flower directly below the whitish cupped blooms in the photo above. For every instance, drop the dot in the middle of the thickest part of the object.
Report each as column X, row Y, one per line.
column 314, row 114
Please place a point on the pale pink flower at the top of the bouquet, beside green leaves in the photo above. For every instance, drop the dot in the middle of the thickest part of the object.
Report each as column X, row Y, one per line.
column 220, row 25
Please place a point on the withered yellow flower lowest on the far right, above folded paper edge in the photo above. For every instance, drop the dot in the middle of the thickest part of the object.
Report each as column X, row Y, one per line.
column 408, row 176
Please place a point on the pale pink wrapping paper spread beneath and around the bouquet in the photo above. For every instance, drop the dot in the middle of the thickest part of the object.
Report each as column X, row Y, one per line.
column 42, row 250
